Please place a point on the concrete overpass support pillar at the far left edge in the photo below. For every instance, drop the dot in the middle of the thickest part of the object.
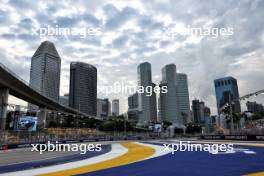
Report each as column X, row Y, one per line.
column 4, row 92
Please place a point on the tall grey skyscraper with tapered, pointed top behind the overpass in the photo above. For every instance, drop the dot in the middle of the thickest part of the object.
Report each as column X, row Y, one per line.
column 45, row 71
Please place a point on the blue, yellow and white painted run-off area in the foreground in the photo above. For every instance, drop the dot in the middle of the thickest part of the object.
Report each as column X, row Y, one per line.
column 138, row 159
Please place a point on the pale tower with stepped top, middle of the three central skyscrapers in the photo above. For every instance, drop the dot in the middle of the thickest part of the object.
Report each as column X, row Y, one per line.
column 169, row 105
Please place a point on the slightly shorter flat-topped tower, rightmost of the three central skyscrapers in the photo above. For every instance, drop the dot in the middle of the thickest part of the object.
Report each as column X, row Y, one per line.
column 183, row 97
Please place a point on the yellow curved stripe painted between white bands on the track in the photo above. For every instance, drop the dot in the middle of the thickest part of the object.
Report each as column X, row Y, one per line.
column 135, row 153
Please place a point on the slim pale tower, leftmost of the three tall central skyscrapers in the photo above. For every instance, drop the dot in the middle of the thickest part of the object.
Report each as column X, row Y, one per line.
column 147, row 106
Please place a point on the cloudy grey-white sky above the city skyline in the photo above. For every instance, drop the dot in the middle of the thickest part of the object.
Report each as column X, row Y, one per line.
column 133, row 32
